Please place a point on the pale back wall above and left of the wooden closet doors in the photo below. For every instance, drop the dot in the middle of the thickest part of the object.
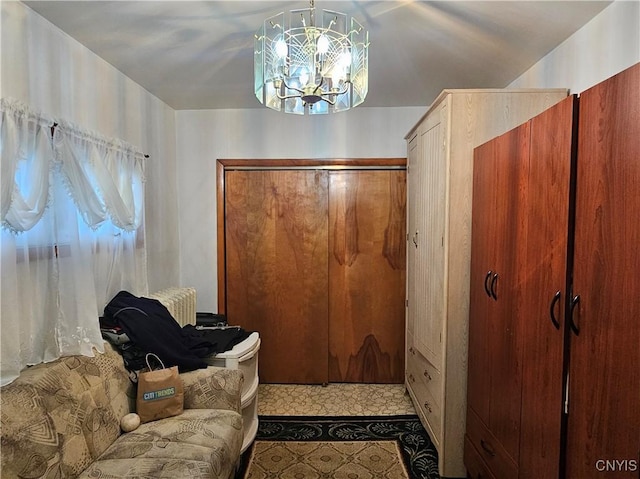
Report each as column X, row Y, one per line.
column 204, row 136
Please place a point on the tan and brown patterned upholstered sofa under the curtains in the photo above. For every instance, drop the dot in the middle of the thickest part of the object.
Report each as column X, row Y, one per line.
column 62, row 420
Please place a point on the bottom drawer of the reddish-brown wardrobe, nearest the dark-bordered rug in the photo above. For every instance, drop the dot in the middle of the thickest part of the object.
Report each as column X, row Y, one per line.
column 490, row 450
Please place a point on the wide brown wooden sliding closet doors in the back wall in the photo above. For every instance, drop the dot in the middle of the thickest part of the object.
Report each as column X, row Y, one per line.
column 314, row 259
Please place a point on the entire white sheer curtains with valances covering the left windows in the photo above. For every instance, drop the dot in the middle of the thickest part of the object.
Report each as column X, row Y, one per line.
column 72, row 235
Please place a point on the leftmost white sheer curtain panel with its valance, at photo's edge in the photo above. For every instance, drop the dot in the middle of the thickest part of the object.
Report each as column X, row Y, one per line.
column 29, row 274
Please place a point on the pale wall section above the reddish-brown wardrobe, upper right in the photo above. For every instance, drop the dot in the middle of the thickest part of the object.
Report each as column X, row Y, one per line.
column 606, row 45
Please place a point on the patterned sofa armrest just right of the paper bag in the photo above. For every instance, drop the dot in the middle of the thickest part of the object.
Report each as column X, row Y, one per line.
column 213, row 388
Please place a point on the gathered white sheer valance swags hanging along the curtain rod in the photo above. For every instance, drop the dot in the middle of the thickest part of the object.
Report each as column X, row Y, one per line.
column 104, row 176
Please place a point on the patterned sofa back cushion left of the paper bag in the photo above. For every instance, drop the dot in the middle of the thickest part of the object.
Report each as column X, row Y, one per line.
column 58, row 417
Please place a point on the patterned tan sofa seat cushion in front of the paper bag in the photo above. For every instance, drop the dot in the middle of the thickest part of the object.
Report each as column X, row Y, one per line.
column 198, row 443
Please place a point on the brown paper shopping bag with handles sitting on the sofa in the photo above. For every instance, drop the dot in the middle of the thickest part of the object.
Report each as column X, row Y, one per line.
column 160, row 392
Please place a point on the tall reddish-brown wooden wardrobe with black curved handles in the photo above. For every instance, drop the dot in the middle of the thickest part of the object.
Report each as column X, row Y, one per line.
column 554, row 340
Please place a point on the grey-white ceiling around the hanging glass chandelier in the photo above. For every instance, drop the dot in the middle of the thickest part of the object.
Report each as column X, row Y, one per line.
column 199, row 54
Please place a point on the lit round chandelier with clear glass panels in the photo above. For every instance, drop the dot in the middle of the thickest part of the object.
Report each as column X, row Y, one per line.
column 302, row 65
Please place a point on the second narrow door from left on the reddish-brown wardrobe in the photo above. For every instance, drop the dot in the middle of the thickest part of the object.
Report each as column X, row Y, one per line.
column 505, row 324
